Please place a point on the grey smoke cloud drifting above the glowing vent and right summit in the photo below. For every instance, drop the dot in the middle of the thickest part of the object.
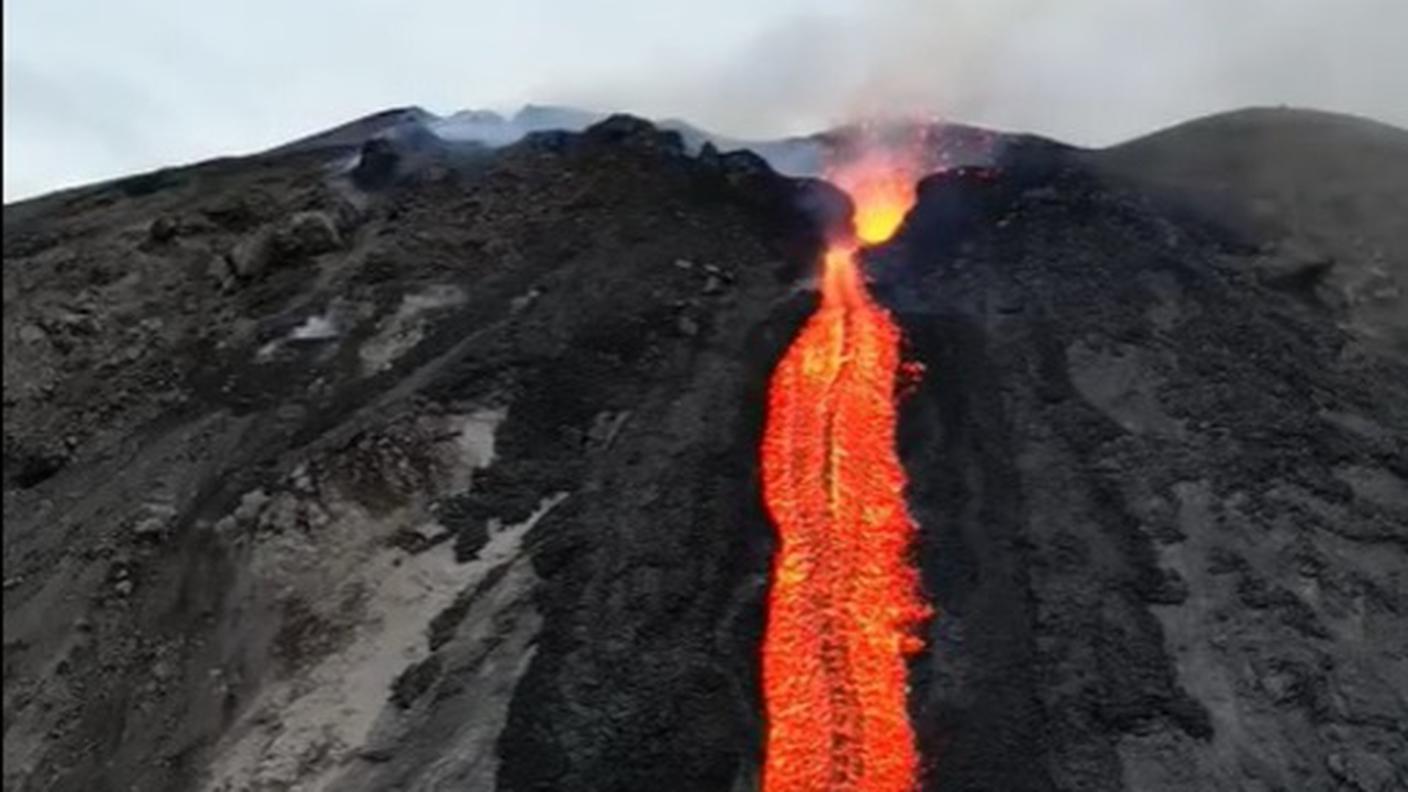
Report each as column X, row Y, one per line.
column 1090, row 73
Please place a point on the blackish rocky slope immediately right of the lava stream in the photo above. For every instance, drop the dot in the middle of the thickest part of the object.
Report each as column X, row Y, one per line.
column 1112, row 402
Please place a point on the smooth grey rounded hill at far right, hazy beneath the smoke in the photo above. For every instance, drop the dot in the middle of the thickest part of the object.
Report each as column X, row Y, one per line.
column 1323, row 197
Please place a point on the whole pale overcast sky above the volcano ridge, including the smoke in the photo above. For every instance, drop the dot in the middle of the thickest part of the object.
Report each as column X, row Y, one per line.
column 99, row 88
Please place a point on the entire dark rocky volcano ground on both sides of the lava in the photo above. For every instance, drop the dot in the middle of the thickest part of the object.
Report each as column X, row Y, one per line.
column 389, row 463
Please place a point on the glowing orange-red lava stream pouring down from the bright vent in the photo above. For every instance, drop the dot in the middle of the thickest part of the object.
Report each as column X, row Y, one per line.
column 846, row 601
